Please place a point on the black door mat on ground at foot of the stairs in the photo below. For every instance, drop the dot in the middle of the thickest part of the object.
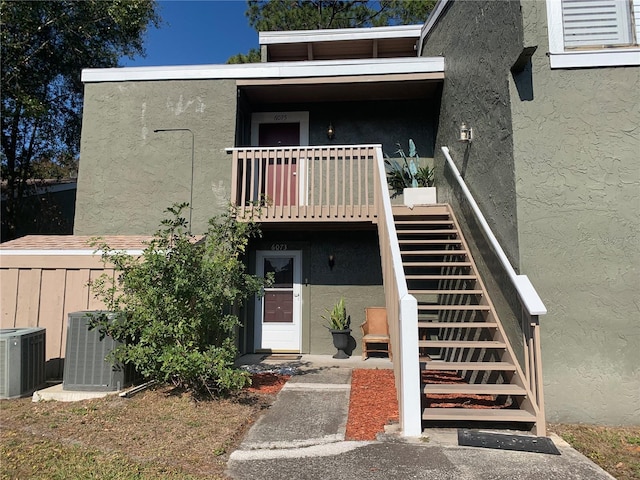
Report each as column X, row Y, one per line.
column 500, row 441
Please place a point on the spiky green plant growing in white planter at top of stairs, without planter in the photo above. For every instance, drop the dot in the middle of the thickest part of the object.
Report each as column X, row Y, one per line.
column 407, row 173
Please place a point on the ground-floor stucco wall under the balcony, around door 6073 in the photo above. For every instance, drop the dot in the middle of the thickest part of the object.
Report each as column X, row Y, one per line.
column 356, row 276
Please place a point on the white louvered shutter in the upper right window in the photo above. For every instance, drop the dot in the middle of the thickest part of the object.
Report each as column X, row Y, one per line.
column 599, row 23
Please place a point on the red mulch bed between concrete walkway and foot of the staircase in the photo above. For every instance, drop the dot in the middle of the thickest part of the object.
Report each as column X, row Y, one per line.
column 372, row 405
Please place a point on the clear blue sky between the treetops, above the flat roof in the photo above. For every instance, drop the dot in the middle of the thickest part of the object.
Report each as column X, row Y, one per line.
column 197, row 32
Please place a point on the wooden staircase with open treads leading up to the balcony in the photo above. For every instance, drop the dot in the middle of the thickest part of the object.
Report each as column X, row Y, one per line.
column 468, row 368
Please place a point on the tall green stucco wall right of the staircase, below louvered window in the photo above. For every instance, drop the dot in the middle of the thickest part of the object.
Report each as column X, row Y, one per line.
column 554, row 167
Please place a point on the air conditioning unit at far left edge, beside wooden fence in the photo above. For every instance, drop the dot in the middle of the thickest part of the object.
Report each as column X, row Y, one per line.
column 22, row 361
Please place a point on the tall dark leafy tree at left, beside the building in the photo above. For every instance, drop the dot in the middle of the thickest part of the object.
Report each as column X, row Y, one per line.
column 45, row 44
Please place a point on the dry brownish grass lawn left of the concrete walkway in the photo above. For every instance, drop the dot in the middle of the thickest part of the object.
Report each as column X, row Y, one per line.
column 156, row 434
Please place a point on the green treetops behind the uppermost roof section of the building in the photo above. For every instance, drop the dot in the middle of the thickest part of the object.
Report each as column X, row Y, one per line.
column 284, row 15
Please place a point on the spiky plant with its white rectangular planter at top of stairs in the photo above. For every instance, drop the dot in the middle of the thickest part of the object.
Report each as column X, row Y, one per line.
column 408, row 177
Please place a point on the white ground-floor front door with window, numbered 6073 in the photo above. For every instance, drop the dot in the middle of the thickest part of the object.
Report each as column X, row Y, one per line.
column 278, row 312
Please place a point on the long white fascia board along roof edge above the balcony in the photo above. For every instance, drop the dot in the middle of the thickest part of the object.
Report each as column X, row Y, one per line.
column 317, row 68
